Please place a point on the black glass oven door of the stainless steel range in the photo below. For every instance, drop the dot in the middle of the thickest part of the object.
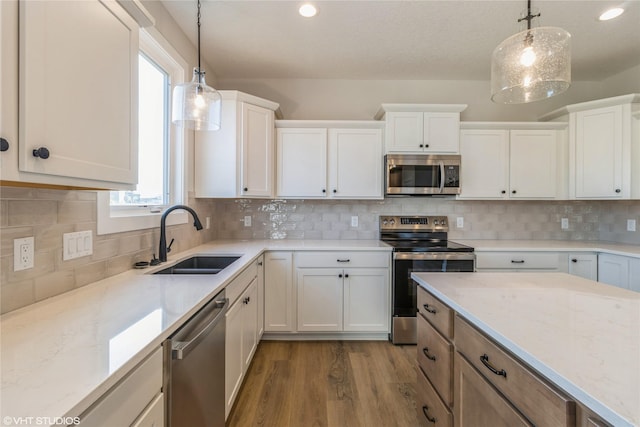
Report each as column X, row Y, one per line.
column 405, row 263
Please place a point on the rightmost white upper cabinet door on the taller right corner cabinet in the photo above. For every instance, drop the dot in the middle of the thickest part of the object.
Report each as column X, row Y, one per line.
column 598, row 153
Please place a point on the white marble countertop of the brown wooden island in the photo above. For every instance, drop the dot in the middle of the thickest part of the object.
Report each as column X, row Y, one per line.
column 581, row 335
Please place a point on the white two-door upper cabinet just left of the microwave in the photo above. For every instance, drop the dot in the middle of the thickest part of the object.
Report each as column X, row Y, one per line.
column 329, row 162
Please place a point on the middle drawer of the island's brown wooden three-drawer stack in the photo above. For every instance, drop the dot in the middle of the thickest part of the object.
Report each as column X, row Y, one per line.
column 435, row 358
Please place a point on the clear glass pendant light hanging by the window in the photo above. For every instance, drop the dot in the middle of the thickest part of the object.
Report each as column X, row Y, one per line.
column 196, row 105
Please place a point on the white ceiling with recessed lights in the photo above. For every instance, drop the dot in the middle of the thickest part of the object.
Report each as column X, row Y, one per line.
column 398, row 40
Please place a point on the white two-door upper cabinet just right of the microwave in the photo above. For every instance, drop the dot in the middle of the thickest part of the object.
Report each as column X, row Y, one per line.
column 500, row 162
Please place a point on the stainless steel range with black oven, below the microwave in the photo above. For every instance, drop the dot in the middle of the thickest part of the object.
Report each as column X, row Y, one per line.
column 419, row 244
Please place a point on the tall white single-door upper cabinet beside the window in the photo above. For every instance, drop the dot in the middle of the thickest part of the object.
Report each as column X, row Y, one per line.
column 237, row 160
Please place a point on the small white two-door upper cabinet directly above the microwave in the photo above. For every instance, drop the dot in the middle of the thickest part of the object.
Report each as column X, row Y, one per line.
column 421, row 128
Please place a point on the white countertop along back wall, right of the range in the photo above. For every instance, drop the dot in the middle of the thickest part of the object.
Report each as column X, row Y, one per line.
column 552, row 245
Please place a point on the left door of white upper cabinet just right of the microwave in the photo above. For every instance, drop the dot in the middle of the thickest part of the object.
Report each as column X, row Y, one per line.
column 484, row 171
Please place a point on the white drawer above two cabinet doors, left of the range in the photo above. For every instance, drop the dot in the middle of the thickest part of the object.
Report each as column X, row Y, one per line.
column 343, row 259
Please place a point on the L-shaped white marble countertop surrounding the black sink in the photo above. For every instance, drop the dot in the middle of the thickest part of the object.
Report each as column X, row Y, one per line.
column 60, row 355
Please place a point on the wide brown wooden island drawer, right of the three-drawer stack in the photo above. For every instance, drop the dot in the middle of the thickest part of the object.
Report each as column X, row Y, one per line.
column 528, row 392
